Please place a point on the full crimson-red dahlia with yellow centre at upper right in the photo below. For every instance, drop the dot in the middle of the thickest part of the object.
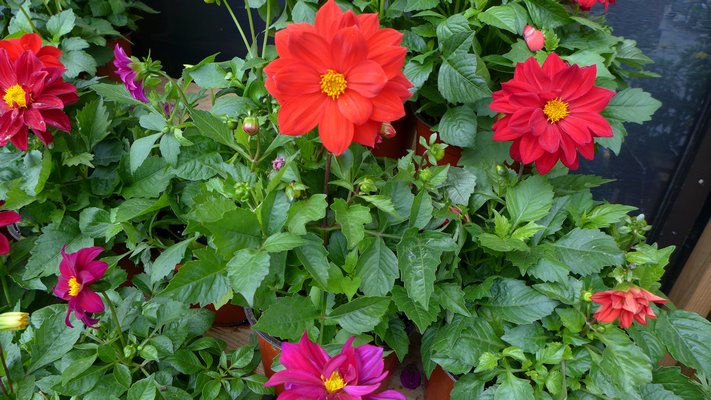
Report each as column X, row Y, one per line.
column 551, row 113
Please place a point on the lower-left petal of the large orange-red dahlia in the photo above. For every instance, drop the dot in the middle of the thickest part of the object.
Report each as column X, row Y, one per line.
column 301, row 114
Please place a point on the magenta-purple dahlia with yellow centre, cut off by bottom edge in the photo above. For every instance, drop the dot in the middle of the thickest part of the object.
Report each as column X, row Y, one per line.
column 353, row 374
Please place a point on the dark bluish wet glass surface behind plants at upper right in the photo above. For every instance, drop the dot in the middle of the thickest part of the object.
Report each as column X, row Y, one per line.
column 677, row 36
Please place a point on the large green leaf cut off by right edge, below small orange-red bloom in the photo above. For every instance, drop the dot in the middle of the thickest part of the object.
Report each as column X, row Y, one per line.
column 687, row 336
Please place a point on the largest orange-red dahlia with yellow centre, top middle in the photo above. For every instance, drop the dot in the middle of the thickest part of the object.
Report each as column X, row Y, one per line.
column 344, row 74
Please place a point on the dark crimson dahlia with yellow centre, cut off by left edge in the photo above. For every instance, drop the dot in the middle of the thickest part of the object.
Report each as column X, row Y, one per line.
column 32, row 96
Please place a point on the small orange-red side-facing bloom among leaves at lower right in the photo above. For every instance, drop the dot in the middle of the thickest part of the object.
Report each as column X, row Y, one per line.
column 631, row 304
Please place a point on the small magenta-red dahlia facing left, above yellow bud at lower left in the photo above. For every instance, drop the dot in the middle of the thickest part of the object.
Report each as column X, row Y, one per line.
column 77, row 272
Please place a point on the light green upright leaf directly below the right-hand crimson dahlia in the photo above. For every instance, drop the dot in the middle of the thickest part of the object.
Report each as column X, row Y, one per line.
column 530, row 200
